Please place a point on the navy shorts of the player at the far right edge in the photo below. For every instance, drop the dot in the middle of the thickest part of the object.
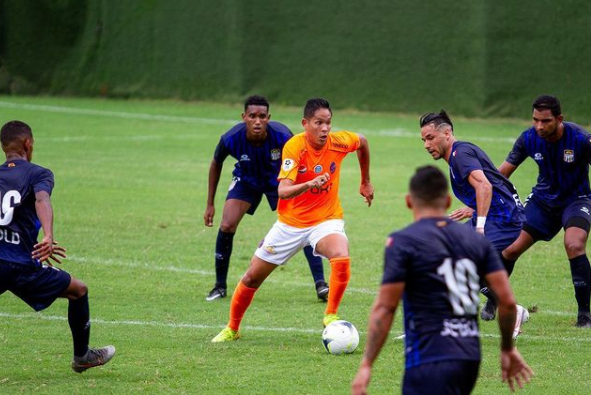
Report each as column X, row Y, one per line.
column 548, row 222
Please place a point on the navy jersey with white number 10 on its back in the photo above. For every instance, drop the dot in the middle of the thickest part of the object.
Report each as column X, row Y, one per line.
column 442, row 264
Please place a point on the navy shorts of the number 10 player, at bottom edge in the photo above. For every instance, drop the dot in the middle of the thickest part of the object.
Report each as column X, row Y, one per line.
column 449, row 377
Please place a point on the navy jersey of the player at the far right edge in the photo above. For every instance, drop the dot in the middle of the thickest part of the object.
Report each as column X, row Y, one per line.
column 563, row 166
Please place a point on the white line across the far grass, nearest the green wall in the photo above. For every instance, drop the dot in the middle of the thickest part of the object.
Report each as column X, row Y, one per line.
column 396, row 132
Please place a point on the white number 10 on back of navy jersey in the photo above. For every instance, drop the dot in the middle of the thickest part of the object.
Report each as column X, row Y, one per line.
column 463, row 285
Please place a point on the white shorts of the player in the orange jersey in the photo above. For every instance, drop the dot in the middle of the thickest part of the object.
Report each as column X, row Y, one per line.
column 284, row 241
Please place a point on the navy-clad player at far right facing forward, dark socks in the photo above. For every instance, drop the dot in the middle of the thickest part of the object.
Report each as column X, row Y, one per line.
column 561, row 198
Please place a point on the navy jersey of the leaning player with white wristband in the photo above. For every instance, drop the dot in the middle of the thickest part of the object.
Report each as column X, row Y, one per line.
column 505, row 205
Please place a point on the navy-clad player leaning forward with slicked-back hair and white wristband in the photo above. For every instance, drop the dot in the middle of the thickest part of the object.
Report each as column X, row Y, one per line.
column 493, row 204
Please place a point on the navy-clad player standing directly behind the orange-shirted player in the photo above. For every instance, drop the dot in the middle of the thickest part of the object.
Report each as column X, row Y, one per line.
column 256, row 144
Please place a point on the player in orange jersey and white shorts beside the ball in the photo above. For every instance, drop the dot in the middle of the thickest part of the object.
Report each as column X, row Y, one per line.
column 309, row 211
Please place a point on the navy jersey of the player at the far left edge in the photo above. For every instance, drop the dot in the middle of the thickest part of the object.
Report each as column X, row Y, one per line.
column 19, row 224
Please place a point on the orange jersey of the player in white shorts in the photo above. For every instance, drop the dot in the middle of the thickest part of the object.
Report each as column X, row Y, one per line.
column 301, row 163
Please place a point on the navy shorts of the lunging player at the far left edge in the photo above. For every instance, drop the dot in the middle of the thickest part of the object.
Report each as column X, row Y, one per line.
column 38, row 287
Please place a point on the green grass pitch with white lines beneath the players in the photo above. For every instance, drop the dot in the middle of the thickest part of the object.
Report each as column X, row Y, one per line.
column 131, row 179
